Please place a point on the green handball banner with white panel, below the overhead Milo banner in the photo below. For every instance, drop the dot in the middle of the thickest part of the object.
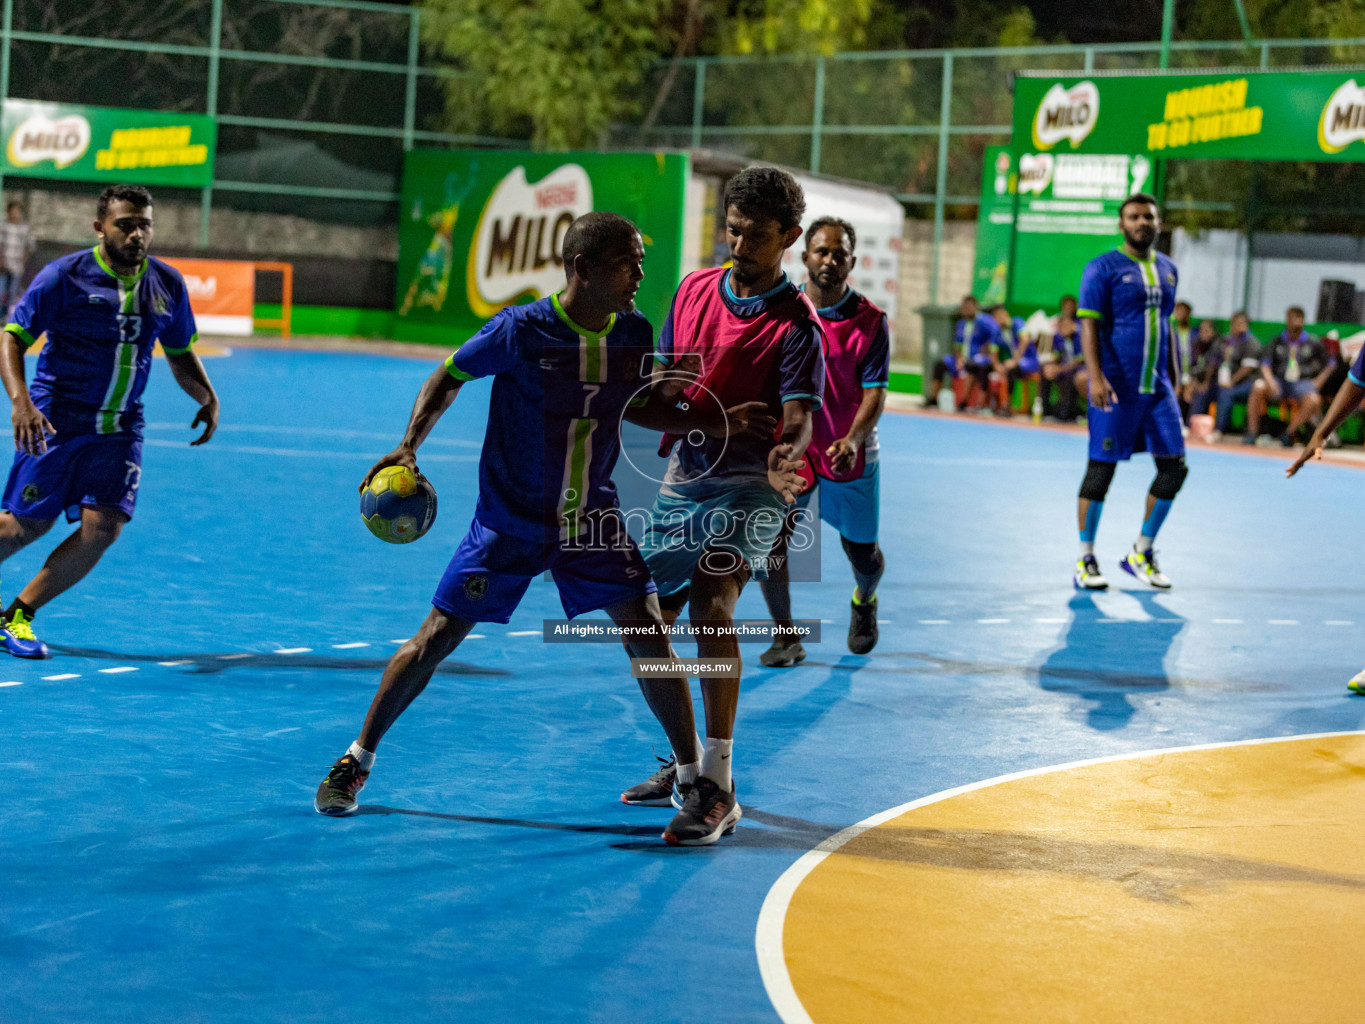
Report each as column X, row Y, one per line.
column 1067, row 215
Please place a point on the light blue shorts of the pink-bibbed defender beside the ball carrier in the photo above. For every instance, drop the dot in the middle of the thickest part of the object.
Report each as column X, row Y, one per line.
column 734, row 525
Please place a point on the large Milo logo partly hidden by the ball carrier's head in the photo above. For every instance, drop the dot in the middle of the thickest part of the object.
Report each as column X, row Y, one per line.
column 518, row 242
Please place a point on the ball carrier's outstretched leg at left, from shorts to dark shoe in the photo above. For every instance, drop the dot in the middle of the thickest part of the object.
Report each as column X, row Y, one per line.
column 407, row 675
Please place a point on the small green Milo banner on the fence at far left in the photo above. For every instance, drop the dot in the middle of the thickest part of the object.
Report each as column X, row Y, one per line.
column 106, row 144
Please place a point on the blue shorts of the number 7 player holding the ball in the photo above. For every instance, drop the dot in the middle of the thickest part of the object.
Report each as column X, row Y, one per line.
column 491, row 571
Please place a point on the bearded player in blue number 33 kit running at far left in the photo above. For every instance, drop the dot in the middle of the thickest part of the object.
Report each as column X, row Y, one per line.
column 78, row 428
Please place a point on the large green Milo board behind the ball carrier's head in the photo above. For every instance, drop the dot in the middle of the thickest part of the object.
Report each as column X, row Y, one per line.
column 485, row 230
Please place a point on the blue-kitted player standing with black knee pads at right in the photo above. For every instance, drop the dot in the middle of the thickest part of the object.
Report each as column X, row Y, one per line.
column 1127, row 302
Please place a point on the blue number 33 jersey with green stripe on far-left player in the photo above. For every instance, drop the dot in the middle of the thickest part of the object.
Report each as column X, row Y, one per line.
column 102, row 330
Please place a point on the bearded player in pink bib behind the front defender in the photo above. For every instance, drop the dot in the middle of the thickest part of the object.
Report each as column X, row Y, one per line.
column 844, row 447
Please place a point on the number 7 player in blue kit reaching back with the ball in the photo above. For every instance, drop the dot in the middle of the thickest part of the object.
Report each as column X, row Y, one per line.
column 566, row 371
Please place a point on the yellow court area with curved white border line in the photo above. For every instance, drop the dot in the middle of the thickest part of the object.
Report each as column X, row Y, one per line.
column 1216, row 884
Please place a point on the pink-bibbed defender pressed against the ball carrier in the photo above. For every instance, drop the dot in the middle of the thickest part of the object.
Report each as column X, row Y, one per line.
column 719, row 513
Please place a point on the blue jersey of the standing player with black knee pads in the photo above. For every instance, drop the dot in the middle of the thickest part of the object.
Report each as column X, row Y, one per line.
column 1132, row 302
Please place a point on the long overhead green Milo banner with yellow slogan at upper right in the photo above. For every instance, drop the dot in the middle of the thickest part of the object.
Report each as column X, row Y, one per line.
column 1248, row 115
